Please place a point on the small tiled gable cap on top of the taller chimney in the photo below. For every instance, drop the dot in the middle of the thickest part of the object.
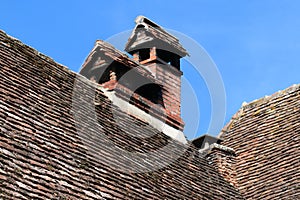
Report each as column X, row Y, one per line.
column 156, row 35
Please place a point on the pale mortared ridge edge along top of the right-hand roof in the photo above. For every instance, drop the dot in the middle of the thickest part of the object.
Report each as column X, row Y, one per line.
column 255, row 103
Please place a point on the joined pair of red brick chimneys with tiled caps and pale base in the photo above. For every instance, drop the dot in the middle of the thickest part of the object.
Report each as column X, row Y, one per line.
column 150, row 80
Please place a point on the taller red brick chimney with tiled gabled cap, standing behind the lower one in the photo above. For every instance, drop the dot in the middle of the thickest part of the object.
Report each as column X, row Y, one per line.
column 160, row 52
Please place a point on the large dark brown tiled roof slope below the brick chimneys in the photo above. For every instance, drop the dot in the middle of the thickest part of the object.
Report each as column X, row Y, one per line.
column 44, row 154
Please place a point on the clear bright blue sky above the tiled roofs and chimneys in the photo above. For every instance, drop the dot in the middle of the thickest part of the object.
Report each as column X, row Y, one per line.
column 254, row 44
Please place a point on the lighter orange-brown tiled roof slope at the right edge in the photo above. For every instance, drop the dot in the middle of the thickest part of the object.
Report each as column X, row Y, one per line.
column 265, row 135
